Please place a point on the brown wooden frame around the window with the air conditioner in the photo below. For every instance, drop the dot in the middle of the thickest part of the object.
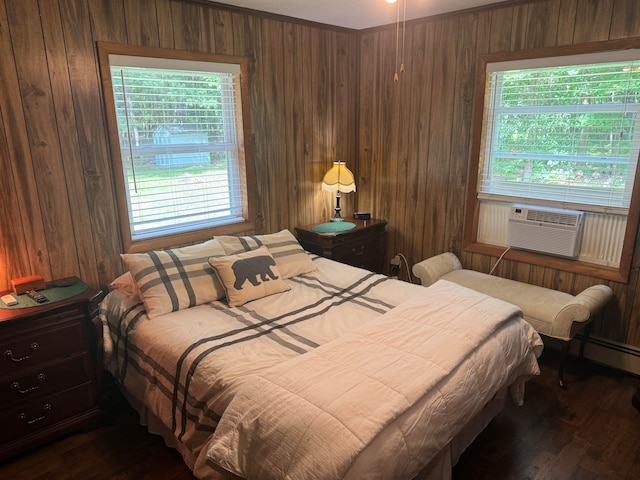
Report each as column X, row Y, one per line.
column 470, row 243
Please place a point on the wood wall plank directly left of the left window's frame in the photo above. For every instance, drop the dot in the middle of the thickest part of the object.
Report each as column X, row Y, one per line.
column 88, row 111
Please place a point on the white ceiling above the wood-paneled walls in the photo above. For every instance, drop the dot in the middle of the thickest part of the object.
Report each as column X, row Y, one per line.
column 356, row 14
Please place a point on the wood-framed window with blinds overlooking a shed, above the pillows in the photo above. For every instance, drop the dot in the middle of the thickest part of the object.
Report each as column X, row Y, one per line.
column 177, row 143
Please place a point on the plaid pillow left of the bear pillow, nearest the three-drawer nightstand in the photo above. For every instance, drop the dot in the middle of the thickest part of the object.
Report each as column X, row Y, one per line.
column 171, row 280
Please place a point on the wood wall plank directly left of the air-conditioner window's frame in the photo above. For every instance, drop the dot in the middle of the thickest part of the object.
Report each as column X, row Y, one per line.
column 463, row 90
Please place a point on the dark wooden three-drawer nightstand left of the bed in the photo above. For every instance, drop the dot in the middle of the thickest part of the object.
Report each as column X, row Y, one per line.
column 51, row 357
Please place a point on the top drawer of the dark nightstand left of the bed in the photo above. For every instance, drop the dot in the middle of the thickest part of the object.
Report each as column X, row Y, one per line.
column 40, row 345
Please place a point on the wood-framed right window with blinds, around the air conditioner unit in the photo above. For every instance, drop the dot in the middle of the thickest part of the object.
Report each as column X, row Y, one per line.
column 559, row 130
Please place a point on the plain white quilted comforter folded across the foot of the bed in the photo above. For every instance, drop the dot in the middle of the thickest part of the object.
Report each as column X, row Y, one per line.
column 417, row 373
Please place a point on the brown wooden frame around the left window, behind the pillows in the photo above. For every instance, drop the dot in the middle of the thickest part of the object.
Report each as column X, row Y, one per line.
column 130, row 245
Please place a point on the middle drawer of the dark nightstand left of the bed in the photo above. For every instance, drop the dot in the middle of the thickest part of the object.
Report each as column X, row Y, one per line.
column 50, row 377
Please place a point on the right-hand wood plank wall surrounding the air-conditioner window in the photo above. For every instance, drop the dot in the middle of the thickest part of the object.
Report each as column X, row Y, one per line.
column 415, row 134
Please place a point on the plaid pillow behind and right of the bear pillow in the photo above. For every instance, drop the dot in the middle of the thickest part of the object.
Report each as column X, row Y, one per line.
column 289, row 255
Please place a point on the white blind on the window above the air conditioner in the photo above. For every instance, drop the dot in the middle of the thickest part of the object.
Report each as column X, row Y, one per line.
column 563, row 130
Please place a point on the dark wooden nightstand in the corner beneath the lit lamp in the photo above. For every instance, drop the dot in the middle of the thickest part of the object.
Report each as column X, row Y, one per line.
column 362, row 246
